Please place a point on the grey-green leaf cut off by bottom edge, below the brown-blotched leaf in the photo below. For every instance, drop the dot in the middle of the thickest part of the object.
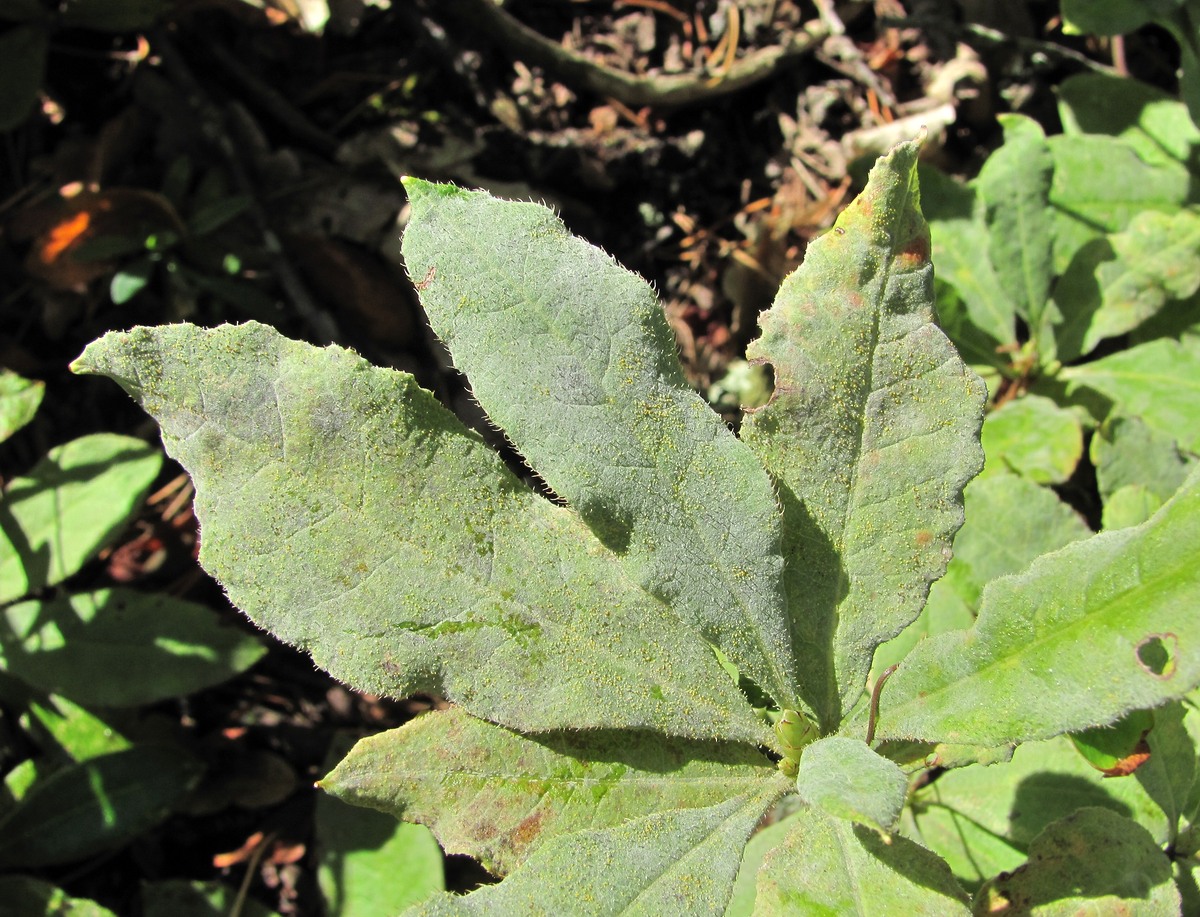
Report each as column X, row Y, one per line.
column 681, row 862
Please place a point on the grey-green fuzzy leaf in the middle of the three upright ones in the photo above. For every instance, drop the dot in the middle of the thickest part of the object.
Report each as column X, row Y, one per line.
column 573, row 358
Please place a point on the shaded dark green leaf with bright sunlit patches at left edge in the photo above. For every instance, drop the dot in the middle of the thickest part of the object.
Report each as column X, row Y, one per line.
column 164, row 648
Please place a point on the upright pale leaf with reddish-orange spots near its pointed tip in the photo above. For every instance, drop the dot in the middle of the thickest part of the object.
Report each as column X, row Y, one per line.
column 872, row 434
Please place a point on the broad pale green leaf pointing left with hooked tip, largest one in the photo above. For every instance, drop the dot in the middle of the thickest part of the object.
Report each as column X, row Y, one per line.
column 349, row 513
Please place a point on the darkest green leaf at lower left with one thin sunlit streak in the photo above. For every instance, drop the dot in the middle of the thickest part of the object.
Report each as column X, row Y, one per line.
column 95, row 806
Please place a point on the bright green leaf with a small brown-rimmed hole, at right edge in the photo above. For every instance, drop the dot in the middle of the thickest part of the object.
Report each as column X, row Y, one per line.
column 1076, row 642
